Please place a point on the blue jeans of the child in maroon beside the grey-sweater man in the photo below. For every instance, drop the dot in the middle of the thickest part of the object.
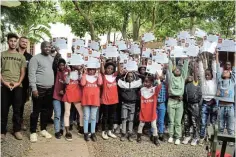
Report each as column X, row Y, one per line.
column 58, row 115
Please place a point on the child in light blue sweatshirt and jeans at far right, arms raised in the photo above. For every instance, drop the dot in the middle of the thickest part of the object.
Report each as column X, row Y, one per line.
column 225, row 95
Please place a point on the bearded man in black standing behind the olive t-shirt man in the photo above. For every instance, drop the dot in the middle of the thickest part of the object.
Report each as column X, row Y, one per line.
column 23, row 42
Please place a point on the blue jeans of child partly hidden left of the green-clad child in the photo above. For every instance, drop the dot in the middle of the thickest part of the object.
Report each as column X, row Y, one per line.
column 161, row 111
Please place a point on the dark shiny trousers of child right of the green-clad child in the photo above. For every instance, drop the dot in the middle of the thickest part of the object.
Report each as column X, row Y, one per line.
column 191, row 118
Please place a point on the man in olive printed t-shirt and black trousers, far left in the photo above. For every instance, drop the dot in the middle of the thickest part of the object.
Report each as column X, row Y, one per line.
column 12, row 75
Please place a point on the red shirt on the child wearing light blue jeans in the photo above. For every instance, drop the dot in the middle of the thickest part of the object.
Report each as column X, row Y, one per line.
column 91, row 90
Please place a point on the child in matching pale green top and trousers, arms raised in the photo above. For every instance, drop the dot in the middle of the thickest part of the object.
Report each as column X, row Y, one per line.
column 175, row 103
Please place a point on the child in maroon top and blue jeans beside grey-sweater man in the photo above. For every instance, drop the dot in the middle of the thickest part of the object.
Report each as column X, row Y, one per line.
column 58, row 93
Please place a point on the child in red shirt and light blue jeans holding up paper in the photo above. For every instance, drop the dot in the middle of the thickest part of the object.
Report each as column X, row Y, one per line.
column 91, row 83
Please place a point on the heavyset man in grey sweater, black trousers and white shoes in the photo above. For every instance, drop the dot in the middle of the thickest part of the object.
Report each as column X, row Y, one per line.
column 41, row 80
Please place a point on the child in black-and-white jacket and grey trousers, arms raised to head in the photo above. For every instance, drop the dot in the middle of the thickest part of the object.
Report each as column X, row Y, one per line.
column 129, row 87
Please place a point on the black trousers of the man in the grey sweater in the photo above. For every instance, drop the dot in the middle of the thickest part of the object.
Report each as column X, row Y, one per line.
column 41, row 105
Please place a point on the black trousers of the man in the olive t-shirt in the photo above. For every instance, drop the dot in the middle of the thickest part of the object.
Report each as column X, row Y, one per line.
column 9, row 98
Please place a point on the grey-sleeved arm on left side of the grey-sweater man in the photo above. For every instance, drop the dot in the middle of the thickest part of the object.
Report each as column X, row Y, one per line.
column 33, row 65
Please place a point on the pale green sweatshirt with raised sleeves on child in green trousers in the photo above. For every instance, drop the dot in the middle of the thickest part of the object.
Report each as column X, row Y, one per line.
column 176, row 84
